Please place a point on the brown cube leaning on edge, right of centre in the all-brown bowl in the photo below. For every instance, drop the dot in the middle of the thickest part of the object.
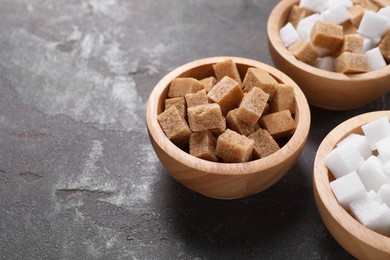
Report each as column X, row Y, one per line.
column 252, row 106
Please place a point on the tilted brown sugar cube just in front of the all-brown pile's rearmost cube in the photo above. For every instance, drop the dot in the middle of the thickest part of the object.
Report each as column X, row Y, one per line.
column 227, row 93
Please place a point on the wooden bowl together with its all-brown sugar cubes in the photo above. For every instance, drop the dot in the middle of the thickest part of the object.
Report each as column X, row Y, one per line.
column 227, row 127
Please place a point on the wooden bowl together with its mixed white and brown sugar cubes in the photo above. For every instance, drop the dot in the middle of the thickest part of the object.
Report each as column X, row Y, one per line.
column 337, row 51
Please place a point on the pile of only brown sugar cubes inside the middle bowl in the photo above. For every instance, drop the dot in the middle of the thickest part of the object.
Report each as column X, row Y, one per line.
column 225, row 119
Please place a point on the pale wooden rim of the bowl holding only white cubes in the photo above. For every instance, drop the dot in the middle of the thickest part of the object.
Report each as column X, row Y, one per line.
column 322, row 188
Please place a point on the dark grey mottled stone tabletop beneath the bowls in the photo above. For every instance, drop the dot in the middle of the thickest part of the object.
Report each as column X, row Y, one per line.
column 78, row 176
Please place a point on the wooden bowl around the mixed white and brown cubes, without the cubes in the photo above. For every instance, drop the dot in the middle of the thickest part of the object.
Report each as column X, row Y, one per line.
column 324, row 89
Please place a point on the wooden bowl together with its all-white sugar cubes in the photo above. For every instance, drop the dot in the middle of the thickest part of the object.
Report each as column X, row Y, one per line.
column 352, row 184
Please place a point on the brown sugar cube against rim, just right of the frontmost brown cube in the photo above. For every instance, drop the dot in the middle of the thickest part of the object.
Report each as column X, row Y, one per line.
column 265, row 144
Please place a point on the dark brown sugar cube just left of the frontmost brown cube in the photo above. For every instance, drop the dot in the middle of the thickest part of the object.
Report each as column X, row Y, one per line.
column 202, row 145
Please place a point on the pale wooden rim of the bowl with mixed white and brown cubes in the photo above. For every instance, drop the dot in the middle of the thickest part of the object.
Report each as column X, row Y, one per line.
column 274, row 39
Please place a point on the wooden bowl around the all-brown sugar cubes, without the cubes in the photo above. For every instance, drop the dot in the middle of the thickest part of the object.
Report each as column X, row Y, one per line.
column 224, row 180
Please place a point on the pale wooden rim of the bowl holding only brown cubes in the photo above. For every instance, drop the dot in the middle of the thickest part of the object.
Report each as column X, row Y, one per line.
column 296, row 141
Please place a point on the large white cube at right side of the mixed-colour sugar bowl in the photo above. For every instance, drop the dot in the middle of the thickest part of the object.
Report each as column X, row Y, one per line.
column 373, row 25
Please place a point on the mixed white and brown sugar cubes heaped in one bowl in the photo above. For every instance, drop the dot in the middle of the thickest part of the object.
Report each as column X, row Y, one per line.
column 346, row 36
